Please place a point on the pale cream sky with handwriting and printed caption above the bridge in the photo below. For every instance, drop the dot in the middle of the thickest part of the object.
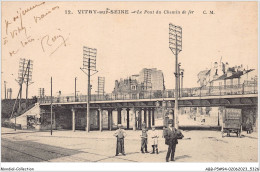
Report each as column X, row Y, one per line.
column 125, row 43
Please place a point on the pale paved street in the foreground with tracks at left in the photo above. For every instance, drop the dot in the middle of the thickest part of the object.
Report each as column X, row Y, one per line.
column 79, row 146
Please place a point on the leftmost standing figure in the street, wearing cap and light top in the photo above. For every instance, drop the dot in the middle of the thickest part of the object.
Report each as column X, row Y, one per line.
column 120, row 134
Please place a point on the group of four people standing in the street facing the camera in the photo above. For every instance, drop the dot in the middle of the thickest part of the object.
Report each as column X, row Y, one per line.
column 170, row 134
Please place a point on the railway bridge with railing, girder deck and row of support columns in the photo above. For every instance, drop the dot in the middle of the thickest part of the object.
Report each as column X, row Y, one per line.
column 149, row 108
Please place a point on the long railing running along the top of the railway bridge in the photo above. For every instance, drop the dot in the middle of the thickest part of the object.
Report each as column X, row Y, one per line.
column 239, row 89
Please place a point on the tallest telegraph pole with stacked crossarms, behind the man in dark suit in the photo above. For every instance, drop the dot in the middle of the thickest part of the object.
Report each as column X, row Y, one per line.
column 175, row 45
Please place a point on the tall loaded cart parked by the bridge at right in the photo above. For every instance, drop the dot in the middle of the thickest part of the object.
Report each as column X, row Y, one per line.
column 232, row 122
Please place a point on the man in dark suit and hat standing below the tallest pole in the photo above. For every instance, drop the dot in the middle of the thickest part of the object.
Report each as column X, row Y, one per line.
column 170, row 140
